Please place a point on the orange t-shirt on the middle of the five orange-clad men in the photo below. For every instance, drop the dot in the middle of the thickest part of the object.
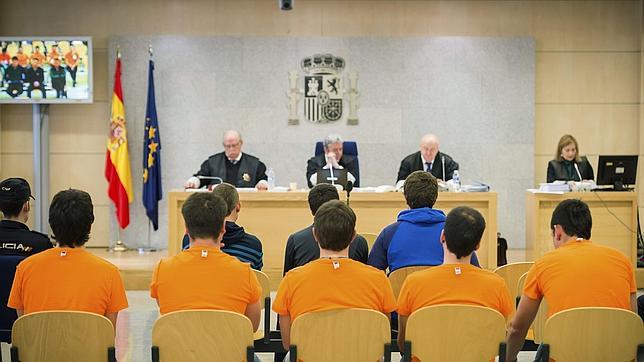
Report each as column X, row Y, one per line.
column 326, row 284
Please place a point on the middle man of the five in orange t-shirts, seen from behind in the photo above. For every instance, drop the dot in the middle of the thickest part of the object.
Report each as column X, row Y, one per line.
column 334, row 281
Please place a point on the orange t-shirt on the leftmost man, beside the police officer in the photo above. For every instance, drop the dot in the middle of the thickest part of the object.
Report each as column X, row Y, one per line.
column 67, row 279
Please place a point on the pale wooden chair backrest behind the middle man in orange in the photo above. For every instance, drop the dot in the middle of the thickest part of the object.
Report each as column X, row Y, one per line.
column 352, row 334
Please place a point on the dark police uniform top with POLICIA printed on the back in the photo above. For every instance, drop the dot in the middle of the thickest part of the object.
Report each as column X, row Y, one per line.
column 17, row 239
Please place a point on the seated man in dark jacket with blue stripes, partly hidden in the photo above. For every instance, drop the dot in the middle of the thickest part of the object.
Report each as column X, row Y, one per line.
column 236, row 242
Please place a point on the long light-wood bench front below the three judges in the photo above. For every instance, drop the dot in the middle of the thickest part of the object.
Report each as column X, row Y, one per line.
column 273, row 216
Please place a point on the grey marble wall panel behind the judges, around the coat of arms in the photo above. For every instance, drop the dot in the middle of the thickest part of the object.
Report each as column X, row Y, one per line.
column 476, row 93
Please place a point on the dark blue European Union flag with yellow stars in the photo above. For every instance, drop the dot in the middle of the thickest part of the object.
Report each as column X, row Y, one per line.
column 152, row 191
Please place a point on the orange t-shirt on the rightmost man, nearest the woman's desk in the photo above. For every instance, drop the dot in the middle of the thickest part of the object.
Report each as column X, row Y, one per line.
column 581, row 274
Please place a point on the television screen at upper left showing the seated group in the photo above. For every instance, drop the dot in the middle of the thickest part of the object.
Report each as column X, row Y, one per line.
column 46, row 69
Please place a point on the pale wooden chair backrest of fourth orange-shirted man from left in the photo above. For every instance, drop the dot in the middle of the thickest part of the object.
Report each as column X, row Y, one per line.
column 455, row 333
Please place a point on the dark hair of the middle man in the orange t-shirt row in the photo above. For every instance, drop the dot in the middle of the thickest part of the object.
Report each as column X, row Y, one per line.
column 334, row 225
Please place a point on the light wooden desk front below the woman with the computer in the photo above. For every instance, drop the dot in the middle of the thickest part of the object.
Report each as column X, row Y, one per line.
column 614, row 222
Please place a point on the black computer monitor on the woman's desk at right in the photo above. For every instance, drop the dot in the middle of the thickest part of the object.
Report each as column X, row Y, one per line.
column 617, row 171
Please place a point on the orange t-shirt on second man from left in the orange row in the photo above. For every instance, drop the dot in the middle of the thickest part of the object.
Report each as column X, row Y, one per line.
column 204, row 278
